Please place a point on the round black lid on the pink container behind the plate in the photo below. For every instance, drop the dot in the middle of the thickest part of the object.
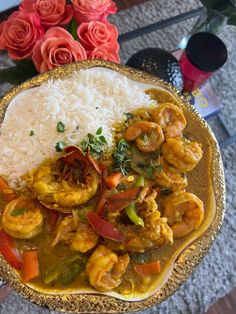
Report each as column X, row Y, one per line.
column 206, row 51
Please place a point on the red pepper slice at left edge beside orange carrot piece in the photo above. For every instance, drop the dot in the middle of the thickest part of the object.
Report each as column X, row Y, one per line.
column 9, row 250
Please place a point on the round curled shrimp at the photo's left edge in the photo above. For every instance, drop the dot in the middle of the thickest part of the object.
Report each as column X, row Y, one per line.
column 22, row 218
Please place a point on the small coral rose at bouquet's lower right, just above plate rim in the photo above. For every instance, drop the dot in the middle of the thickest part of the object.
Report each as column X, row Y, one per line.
column 105, row 53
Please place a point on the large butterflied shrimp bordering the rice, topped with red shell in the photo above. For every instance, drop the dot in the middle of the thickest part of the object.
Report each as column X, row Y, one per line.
column 44, row 186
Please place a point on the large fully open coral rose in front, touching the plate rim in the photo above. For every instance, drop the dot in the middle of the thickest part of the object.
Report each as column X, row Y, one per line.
column 57, row 48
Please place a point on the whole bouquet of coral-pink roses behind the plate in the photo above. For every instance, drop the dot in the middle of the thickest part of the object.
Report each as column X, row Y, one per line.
column 44, row 34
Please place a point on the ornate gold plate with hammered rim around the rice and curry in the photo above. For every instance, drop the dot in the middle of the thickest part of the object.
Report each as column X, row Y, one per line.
column 207, row 181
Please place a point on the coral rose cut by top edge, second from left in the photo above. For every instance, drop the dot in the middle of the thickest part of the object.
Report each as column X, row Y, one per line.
column 51, row 12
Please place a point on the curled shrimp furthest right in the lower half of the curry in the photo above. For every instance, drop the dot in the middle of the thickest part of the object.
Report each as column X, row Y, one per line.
column 184, row 212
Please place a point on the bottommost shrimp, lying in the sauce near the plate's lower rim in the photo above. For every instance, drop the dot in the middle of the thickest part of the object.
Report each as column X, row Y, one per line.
column 105, row 268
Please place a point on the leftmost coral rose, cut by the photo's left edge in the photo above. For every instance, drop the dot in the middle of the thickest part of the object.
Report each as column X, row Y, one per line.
column 19, row 33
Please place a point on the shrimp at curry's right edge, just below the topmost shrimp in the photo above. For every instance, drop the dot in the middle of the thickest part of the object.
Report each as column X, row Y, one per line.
column 182, row 153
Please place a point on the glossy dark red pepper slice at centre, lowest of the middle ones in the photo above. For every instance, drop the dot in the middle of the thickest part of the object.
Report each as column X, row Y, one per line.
column 104, row 228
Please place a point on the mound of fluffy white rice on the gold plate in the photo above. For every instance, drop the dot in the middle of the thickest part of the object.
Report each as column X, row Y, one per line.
column 89, row 99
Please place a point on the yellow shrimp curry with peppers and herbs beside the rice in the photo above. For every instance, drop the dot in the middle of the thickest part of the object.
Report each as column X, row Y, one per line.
column 102, row 218
